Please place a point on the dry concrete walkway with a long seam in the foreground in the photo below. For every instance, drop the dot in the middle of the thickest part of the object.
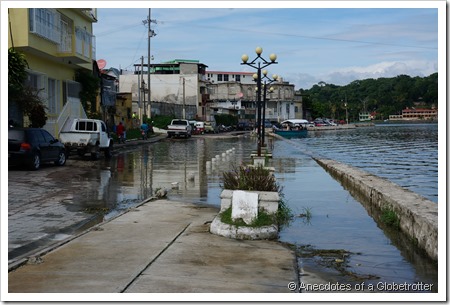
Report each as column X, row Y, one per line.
column 160, row 246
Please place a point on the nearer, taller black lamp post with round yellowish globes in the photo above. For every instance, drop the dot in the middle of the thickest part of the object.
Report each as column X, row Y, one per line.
column 259, row 63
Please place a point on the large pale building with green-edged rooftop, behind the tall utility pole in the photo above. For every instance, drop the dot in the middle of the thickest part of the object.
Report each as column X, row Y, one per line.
column 177, row 87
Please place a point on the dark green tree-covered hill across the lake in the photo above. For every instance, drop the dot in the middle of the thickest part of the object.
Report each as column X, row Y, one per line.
column 384, row 96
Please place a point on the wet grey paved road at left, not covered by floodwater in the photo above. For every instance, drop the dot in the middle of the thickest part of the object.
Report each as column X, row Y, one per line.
column 43, row 208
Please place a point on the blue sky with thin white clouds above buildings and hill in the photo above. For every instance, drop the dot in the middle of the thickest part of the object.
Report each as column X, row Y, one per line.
column 314, row 42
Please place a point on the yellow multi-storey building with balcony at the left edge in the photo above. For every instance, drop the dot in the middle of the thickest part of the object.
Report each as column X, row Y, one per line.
column 56, row 42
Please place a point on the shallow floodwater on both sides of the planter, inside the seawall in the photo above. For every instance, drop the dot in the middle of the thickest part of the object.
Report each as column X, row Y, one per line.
column 196, row 165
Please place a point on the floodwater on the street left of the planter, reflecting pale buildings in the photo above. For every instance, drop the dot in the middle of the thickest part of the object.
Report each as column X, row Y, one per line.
column 194, row 166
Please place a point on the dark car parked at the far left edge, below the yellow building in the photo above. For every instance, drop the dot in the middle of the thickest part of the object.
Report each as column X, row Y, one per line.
column 32, row 147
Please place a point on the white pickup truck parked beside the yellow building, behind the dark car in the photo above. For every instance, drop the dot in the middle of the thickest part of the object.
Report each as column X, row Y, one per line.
column 87, row 136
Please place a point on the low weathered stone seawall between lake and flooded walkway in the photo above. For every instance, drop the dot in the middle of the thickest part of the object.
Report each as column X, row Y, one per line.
column 418, row 216
